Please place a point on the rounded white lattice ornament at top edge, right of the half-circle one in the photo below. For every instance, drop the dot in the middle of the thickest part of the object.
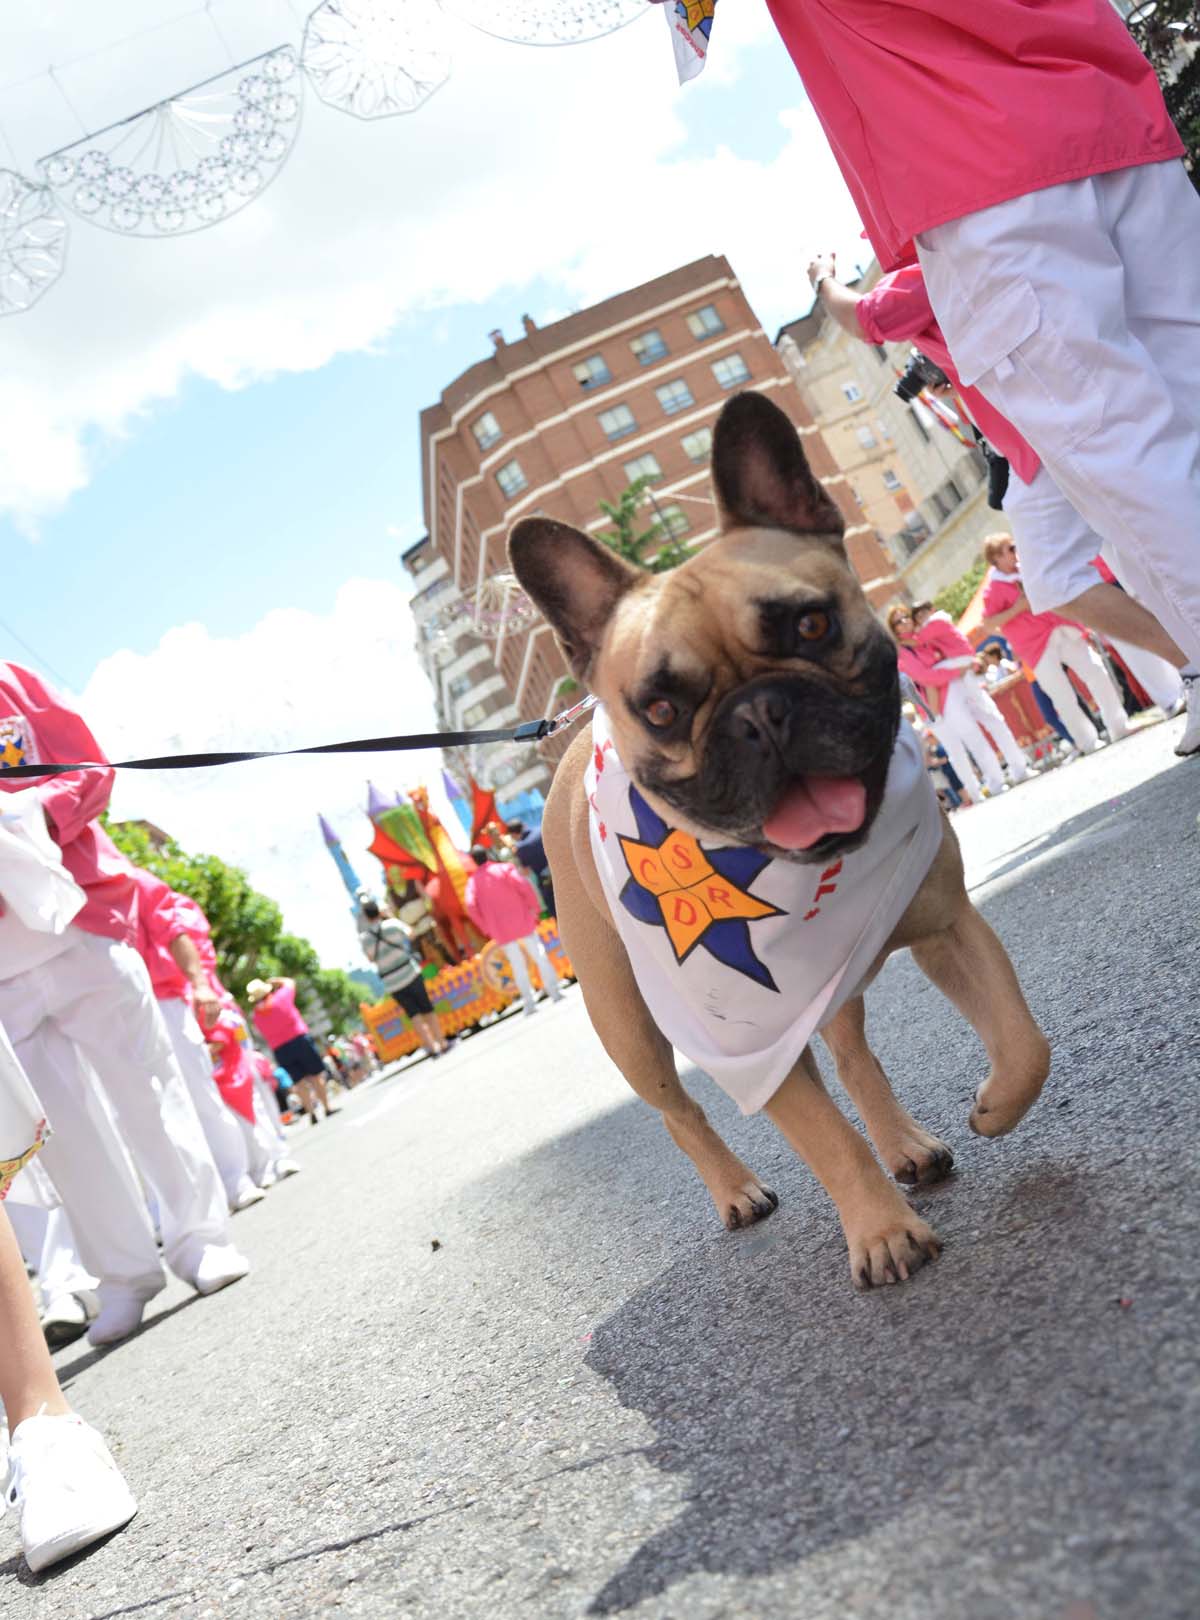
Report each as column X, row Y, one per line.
column 377, row 59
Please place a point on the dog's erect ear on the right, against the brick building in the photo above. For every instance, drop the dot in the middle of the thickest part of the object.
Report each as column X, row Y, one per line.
column 760, row 475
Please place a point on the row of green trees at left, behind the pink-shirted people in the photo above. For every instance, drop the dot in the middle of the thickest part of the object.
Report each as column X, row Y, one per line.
column 247, row 927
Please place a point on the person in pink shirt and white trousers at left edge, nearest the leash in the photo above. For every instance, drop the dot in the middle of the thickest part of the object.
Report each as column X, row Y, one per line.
column 93, row 997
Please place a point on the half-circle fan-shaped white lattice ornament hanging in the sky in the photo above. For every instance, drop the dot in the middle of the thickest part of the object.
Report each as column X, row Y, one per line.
column 190, row 161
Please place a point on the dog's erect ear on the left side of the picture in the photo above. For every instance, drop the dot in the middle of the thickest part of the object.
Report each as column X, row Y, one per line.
column 574, row 579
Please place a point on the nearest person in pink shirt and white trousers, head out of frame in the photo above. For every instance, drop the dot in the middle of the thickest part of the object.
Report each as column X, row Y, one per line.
column 1024, row 155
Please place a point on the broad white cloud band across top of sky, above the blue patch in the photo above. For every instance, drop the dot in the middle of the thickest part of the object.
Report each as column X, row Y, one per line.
column 556, row 164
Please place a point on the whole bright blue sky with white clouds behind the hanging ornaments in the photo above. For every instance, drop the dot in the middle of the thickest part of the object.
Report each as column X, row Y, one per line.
column 211, row 451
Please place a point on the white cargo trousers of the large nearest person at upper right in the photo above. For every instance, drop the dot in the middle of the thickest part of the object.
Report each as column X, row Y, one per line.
column 1076, row 312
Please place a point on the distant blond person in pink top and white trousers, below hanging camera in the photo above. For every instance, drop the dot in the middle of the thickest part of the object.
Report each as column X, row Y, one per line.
column 1049, row 642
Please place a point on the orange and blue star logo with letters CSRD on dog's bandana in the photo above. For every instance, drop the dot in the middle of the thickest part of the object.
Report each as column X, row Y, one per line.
column 697, row 895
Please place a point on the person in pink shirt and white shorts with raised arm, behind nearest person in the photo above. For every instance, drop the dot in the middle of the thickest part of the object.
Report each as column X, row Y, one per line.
column 1058, row 547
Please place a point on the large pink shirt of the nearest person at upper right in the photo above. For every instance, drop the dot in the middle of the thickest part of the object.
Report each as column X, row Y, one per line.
column 942, row 108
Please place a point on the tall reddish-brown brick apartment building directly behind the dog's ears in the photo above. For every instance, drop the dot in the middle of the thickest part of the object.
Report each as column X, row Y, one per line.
column 571, row 416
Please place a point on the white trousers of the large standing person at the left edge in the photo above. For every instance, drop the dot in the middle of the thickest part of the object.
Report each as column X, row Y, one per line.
column 98, row 995
